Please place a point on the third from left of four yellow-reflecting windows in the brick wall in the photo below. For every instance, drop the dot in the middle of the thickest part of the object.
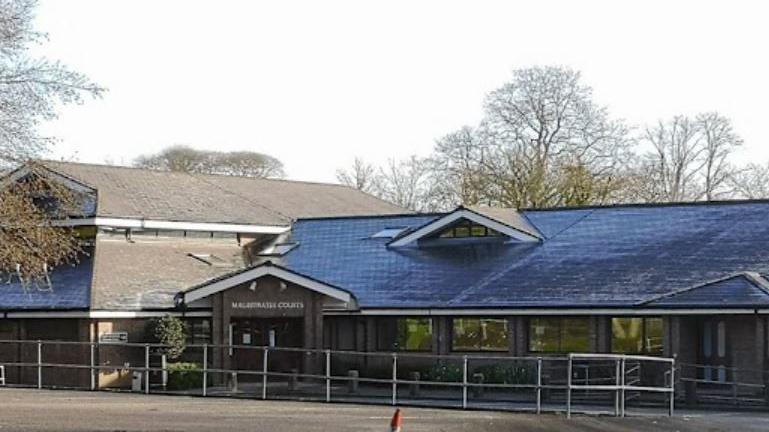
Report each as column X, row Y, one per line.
column 559, row 335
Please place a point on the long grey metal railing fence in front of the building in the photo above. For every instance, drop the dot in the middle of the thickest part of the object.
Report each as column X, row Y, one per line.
column 594, row 383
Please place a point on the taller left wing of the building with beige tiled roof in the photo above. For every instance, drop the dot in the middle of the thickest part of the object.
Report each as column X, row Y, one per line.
column 149, row 235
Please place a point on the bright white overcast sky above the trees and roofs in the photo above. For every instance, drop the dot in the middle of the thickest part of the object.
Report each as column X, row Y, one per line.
column 315, row 83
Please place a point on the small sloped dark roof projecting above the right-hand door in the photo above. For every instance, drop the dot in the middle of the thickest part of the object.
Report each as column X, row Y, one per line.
column 742, row 290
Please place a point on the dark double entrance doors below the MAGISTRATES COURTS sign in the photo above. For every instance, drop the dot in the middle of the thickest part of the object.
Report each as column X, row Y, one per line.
column 273, row 332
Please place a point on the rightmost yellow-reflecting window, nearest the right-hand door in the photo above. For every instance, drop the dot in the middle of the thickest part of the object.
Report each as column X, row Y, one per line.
column 637, row 335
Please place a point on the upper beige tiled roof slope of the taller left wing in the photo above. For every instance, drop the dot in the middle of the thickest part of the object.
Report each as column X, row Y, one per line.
column 146, row 194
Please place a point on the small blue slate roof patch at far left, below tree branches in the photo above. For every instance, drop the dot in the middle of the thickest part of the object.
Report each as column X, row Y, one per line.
column 71, row 289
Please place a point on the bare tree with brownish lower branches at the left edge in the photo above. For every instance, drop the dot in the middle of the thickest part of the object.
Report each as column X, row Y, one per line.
column 31, row 89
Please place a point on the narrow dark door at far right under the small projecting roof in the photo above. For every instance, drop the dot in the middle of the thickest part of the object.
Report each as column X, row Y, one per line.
column 714, row 350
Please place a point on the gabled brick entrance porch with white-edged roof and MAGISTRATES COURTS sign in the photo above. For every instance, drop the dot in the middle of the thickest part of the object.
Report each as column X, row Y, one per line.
column 266, row 306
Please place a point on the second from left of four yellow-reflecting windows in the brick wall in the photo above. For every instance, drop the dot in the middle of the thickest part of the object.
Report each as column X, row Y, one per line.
column 479, row 334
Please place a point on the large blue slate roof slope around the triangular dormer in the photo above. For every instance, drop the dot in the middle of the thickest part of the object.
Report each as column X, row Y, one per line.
column 619, row 256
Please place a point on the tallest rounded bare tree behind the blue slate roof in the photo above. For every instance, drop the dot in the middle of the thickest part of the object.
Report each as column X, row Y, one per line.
column 540, row 126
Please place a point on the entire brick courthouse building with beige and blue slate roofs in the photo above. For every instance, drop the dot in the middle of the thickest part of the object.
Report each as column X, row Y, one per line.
column 318, row 266
